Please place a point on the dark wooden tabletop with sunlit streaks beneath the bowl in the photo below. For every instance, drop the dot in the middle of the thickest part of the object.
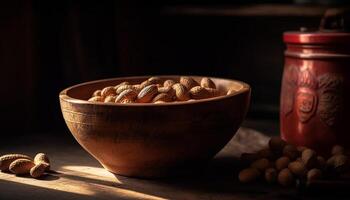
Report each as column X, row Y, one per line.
column 79, row 176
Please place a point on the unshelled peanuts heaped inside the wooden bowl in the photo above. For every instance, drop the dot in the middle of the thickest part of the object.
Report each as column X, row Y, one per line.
column 156, row 90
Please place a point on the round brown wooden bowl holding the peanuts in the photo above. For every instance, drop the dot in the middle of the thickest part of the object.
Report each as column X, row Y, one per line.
column 153, row 140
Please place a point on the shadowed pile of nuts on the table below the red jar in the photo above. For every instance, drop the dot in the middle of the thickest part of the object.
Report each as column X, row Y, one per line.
column 288, row 164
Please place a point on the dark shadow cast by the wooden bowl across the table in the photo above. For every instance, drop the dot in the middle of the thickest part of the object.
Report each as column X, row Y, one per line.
column 218, row 181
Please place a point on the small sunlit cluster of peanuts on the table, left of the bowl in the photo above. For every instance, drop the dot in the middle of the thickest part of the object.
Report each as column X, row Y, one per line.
column 20, row 164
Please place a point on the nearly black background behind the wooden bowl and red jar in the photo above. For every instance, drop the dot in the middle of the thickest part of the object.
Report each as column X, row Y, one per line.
column 47, row 46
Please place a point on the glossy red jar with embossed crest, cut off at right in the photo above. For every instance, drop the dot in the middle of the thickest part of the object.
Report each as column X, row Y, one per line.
column 314, row 110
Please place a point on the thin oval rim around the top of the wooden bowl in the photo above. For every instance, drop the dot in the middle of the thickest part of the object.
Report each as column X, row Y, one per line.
column 65, row 97
